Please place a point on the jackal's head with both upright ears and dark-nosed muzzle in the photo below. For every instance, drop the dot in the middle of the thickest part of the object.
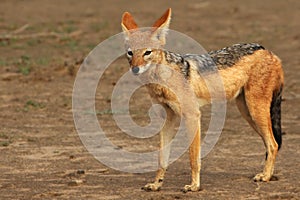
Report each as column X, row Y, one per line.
column 144, row 46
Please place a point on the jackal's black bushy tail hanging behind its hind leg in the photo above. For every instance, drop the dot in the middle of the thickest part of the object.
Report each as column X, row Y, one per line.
column 276, row 116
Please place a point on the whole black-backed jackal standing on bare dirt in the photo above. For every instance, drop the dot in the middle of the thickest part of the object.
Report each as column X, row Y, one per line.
column 250, row 74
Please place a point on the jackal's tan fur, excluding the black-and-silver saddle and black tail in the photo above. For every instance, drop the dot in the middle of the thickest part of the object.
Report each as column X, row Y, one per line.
column 251, row 81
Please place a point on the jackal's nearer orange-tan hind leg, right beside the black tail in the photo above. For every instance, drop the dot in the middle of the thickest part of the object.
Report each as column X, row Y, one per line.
column 258, row 107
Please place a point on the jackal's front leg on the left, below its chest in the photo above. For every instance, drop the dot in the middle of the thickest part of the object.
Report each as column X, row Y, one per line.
column 166, row 136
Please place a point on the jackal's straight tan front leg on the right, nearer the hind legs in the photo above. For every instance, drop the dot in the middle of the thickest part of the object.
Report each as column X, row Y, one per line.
column 194, row 132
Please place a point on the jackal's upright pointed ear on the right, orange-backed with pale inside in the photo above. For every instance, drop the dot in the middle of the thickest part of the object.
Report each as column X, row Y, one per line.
column 161, row 26
